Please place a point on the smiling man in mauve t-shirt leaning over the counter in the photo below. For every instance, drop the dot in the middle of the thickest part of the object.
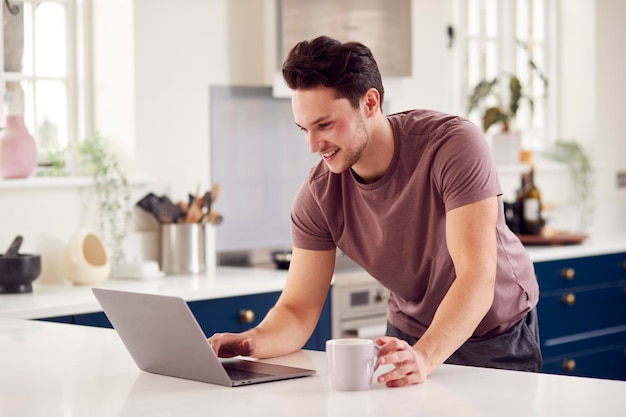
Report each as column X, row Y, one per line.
column 414, row 199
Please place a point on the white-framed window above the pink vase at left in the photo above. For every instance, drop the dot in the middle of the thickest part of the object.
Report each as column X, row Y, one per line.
column 40, row 69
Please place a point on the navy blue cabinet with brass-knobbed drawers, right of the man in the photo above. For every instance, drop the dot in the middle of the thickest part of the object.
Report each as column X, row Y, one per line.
column 582, row 316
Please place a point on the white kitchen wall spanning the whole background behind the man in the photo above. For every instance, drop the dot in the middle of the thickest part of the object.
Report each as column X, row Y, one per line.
column 157, row 58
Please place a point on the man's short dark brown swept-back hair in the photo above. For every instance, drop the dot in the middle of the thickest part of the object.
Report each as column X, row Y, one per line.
column 349, row 68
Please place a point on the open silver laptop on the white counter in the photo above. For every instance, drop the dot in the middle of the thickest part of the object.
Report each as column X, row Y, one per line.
column 163, row 337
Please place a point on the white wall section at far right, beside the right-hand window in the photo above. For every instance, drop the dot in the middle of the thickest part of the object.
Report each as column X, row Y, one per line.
column 592, row 96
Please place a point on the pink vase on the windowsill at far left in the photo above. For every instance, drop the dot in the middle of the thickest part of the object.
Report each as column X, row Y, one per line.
column 18, row 153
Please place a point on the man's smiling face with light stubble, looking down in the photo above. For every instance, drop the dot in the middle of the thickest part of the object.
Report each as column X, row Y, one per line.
column 332, row 127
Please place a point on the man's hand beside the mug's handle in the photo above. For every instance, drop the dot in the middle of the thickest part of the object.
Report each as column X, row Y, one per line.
column 410, row 366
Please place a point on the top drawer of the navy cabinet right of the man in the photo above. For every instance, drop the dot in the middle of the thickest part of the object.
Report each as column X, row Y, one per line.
column 580, row 271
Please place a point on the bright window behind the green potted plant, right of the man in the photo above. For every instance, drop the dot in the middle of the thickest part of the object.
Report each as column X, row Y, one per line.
column 505, row 38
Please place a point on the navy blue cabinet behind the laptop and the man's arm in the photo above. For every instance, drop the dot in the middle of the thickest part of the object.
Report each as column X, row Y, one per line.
column 232, row 314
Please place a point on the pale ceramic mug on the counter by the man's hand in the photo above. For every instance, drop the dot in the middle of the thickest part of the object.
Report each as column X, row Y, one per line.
column 351, row 363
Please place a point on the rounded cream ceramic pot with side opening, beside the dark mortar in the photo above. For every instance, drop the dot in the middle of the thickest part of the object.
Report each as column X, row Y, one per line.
column 85, row 260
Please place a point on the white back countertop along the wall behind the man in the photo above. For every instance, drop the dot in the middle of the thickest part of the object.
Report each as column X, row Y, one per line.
column 48, row 300
